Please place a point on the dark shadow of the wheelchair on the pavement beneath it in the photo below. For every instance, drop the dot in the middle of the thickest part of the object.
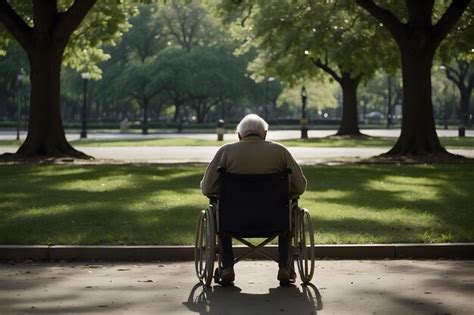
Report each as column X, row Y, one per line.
column 304, row 299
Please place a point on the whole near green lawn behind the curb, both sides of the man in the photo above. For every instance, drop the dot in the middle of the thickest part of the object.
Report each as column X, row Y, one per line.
column 144, row 204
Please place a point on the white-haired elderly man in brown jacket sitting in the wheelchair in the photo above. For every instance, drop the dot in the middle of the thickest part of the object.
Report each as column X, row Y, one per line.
column 253, row 155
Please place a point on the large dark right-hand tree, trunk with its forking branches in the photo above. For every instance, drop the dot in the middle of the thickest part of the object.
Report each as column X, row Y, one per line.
column 417, row 39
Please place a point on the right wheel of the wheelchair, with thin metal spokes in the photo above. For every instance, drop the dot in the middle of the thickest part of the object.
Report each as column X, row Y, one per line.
column 304, row 245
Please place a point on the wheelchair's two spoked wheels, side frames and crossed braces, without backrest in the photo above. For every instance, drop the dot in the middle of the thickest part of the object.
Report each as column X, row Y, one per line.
column 208, row 244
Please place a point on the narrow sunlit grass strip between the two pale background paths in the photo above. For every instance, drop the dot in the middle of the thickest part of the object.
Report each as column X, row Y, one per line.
column 449, row 142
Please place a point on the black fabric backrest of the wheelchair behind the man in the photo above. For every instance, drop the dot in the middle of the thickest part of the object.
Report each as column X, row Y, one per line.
column 254, row 205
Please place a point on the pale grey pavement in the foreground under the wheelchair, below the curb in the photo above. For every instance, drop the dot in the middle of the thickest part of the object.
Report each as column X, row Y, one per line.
column 339, row 287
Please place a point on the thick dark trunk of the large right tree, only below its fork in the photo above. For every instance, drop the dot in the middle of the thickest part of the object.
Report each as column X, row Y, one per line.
column 418, row 135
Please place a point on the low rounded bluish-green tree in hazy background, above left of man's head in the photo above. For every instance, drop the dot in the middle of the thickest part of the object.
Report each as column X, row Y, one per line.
column 204, row 79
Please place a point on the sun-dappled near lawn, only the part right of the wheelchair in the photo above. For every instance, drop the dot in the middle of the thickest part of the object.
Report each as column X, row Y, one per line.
column 379, row 204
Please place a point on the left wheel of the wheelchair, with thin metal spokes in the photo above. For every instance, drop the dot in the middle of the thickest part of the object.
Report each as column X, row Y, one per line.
column 204, row 249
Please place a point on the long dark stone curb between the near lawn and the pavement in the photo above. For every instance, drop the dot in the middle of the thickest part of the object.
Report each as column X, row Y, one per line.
column 186, row 253
